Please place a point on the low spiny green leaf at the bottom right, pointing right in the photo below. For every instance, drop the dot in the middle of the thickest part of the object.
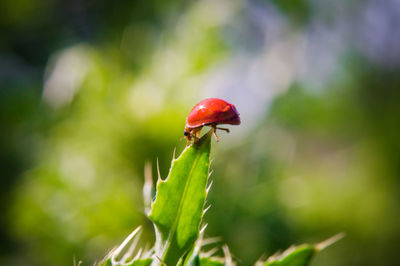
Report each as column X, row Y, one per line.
column 300, row 255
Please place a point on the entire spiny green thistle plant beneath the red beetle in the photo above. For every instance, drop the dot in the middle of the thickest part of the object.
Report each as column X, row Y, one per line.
column 177, row 213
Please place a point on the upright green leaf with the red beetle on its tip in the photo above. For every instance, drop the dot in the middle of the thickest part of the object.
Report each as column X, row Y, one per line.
column 178, row 208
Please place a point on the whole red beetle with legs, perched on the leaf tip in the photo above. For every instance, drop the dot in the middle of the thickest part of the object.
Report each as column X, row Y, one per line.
column 210, row 112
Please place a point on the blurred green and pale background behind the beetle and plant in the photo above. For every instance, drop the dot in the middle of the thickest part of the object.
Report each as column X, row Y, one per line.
column 91, row 90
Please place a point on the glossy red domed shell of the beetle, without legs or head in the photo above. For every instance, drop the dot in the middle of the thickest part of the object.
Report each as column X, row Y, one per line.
column 212, row 111
